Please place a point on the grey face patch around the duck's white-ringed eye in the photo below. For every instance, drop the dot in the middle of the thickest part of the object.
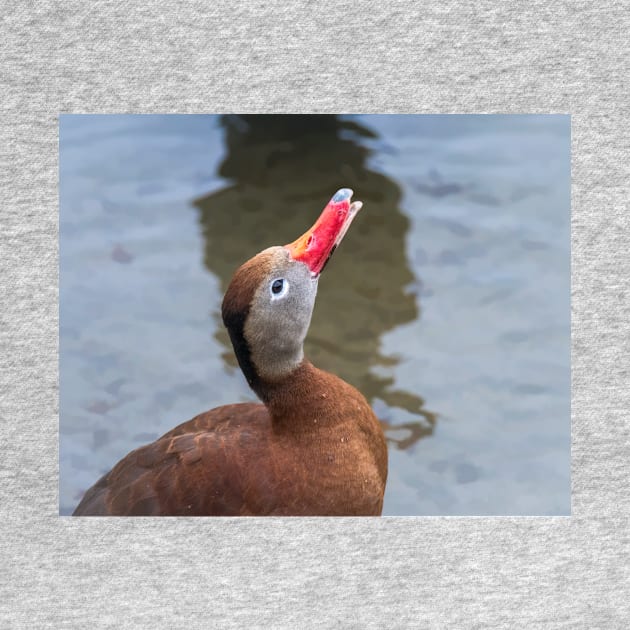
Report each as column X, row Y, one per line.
column 279, row 315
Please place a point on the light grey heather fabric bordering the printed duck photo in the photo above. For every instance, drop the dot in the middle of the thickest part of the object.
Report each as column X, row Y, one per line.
column 324, row 57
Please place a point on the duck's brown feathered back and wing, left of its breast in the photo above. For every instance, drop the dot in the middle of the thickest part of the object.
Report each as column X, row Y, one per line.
column 191, row 470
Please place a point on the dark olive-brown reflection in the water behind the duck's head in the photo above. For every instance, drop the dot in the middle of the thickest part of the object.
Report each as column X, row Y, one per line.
column 283, row 171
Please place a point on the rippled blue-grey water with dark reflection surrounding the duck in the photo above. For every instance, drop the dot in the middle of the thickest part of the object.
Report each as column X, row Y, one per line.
column 447, row 304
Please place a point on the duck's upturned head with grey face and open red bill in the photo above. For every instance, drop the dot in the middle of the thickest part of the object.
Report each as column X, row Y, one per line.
column 268, row 306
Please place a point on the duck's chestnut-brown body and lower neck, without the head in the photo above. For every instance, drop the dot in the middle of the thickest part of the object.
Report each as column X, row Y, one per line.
column 315, row 449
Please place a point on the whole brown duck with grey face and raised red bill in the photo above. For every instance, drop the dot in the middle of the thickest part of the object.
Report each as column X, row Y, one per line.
column 312, row 446
